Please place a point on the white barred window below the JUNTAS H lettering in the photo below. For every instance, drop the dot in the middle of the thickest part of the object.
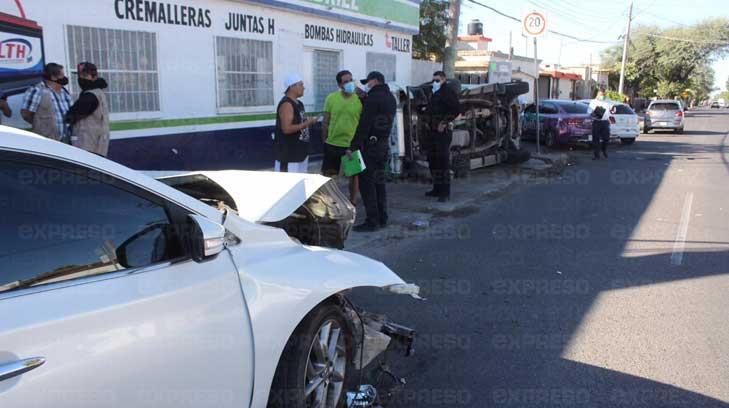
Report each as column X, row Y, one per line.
column 245, row 72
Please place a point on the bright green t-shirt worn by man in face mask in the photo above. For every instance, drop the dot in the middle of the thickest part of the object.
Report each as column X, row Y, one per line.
column 343, row 118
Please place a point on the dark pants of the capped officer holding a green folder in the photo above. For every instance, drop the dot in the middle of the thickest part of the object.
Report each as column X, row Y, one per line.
column 372, row 183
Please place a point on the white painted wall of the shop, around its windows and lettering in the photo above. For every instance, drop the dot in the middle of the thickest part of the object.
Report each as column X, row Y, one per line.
column 187, row 70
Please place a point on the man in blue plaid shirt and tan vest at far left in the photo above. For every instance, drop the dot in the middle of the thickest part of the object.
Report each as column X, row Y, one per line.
column 46, row 104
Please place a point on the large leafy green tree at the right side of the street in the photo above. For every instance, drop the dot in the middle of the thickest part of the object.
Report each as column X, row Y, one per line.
column 659, row 66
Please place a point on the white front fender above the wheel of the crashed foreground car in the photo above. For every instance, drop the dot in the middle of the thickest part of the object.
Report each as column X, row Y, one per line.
column 283, row 281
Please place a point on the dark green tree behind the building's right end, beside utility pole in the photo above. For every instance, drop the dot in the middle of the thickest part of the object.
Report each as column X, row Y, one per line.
column 430, row 42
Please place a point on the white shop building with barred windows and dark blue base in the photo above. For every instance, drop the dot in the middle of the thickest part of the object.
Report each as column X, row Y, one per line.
column 194, row 84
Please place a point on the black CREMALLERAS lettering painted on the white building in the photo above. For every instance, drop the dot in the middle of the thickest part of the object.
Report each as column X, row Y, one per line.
column 162, row 13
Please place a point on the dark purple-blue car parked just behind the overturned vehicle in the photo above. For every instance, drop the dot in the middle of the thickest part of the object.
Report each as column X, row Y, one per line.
column 561, row 122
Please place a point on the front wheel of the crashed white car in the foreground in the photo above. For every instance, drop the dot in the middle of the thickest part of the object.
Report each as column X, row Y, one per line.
column 315, row 366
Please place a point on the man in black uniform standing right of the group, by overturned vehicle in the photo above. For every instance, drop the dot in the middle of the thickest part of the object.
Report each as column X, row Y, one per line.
column 443, row 108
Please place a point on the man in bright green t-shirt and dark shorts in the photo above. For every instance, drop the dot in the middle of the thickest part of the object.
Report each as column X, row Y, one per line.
column 341, row 118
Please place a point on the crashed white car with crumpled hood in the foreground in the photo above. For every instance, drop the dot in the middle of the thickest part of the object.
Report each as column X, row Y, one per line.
column 118, row 291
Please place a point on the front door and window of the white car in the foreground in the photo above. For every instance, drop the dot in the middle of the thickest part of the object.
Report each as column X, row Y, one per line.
column 123, row 318
